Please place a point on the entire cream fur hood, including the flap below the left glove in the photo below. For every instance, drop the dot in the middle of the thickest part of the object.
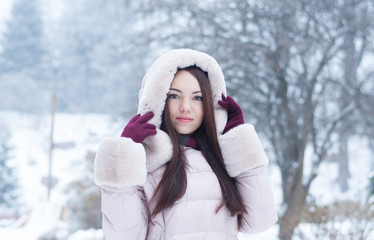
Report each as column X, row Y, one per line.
column 153, row 95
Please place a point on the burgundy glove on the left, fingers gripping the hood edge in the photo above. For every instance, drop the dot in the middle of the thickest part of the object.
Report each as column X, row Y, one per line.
column 138, row 129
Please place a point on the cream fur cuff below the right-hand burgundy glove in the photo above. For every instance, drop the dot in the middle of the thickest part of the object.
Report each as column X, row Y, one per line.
column 242, row 150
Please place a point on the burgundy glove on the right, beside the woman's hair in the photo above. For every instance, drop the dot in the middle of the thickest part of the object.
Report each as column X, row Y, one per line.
column 235, row 113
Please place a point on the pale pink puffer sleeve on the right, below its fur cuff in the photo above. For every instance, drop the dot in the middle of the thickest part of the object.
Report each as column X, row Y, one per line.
column 257, row 197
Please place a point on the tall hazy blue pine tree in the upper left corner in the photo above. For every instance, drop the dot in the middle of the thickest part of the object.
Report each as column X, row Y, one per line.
column 23, row 68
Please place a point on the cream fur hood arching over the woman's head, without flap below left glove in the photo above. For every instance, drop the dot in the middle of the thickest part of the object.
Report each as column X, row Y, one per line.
column 157, row 81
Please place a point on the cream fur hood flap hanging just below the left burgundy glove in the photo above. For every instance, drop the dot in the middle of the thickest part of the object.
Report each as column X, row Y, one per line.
column 159, row 150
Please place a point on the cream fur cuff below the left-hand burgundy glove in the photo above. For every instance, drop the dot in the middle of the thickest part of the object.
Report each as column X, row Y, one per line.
column 120, row 162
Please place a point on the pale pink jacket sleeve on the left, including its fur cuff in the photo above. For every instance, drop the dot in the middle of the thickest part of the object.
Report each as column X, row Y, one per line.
column 120, row 171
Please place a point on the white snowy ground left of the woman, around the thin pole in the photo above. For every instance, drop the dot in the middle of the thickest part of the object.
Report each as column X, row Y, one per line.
column 74, row 136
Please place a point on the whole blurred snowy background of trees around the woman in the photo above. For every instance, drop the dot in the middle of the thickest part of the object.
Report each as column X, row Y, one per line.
column 303, row 72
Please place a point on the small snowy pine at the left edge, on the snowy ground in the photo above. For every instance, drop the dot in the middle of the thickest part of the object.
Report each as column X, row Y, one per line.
column 8, row 181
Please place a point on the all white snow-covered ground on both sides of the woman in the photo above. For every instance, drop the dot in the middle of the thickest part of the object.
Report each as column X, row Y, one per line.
column 75, row 135
